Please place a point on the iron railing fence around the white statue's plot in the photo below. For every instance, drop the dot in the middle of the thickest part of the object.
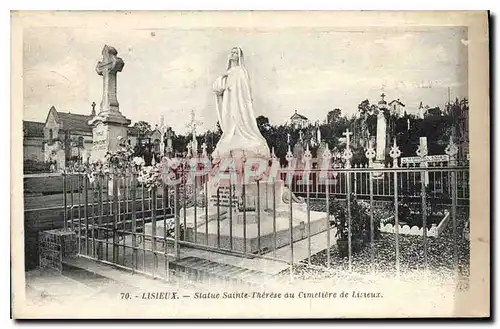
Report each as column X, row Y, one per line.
column 120, row 221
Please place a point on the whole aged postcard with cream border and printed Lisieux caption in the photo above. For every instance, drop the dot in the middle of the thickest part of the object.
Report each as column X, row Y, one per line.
column 250, row 164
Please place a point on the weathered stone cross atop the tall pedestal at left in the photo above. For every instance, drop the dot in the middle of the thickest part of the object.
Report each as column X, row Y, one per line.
column 108, row 68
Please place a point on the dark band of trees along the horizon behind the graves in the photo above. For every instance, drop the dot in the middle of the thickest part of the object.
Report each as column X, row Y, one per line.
column 407, row 130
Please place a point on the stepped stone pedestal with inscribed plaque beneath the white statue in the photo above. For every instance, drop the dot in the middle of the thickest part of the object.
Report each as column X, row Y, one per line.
column 254, row 228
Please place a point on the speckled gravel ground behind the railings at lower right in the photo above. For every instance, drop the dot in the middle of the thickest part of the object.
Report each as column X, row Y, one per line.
column 439, row 252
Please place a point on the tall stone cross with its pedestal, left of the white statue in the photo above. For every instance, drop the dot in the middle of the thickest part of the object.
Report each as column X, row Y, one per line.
column 109, row 123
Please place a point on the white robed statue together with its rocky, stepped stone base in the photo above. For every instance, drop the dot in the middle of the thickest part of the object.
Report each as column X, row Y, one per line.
column 264, row 207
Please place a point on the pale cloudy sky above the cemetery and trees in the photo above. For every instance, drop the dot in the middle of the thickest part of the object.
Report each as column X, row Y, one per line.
column 170, row 72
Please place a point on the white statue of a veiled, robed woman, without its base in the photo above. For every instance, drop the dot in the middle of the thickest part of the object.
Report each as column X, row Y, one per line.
column 233, row 100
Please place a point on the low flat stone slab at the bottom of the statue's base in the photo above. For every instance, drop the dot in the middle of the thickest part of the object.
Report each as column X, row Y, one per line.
column 256, row 231
